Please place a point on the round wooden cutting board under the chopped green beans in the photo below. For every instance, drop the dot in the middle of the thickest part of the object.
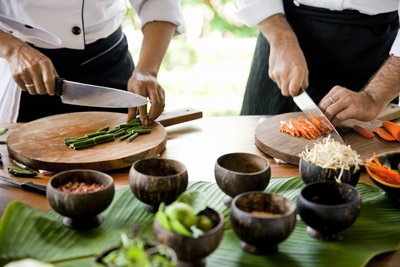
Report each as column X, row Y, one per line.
column 40, row 143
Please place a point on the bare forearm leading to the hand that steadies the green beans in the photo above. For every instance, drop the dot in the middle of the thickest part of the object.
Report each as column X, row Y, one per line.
column 156, row 38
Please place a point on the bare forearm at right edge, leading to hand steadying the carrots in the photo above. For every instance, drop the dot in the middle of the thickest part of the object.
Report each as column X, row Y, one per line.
column 385, row 85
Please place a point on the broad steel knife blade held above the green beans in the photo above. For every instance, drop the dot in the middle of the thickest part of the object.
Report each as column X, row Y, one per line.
column 82, row 94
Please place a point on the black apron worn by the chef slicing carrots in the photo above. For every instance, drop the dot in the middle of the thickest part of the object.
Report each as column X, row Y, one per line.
column 341, row 48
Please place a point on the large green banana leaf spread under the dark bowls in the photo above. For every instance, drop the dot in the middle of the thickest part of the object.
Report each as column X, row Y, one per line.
column 28, row 233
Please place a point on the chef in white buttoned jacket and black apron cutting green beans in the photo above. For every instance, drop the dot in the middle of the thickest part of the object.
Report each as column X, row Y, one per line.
column 80, row 40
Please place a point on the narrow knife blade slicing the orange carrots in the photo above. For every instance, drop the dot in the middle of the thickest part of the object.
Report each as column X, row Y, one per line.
column 307, row 105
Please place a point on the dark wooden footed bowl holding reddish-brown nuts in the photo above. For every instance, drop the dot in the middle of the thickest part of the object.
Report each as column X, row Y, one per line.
column 80, row 210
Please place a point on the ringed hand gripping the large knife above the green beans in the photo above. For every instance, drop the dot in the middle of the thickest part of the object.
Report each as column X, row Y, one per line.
column 31, row 70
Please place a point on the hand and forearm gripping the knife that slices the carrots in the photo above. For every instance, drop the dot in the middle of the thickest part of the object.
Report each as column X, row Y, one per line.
column 287, row 64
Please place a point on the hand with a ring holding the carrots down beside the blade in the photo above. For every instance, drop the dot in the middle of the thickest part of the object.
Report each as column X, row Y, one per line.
column 341, row 104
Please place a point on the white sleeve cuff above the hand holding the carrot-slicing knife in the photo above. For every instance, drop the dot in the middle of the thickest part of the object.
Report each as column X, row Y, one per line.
column 252, row 12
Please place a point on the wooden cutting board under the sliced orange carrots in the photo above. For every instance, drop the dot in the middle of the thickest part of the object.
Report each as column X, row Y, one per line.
column 287, row 148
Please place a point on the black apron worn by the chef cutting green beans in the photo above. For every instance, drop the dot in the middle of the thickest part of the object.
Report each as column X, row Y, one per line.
column 106, row 62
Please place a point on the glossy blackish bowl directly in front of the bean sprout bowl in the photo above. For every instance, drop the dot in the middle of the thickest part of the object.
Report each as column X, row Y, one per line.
column 328, row 208
